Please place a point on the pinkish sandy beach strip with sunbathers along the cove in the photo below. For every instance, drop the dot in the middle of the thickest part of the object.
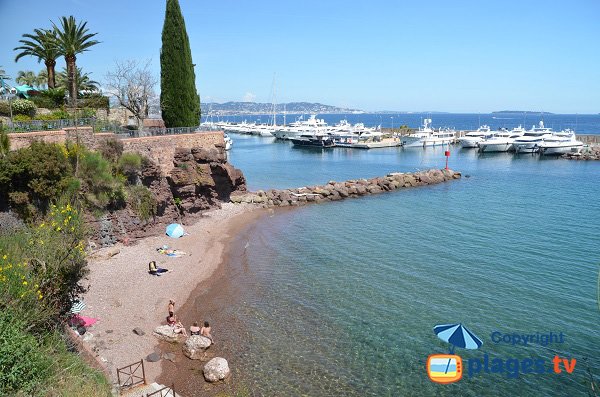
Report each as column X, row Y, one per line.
column 123, row 296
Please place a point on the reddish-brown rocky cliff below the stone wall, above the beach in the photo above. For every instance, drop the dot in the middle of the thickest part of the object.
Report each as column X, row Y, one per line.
column 200, row 180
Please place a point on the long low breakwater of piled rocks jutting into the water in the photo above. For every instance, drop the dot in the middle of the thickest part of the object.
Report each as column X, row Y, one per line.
column 334, row 191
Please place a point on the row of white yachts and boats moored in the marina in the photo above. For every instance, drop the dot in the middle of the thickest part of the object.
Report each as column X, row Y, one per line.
column 315, row 132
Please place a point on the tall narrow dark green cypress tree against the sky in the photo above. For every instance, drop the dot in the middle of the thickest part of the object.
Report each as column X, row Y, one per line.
column 179, row 100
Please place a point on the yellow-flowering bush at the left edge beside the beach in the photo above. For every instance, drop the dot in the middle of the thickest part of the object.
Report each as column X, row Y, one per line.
column 44, row 263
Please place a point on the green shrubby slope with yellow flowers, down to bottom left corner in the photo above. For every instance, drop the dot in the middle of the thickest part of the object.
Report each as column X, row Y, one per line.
column 40, row 270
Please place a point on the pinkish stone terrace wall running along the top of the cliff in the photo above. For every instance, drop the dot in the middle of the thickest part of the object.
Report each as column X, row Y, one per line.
column 160, row 148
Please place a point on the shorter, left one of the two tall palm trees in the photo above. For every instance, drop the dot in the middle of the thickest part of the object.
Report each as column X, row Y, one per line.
column 42, row 45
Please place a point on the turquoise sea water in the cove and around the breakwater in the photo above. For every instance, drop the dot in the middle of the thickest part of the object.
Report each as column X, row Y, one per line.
column 340, row 299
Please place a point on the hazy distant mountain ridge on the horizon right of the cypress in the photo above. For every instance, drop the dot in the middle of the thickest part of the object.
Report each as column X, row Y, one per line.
column 232, row 108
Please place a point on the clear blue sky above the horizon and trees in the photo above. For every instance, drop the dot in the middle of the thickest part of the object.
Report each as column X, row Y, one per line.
column 400, row 55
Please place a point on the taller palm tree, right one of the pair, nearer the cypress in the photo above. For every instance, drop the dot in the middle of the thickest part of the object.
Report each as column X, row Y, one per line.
column 73, row 39
